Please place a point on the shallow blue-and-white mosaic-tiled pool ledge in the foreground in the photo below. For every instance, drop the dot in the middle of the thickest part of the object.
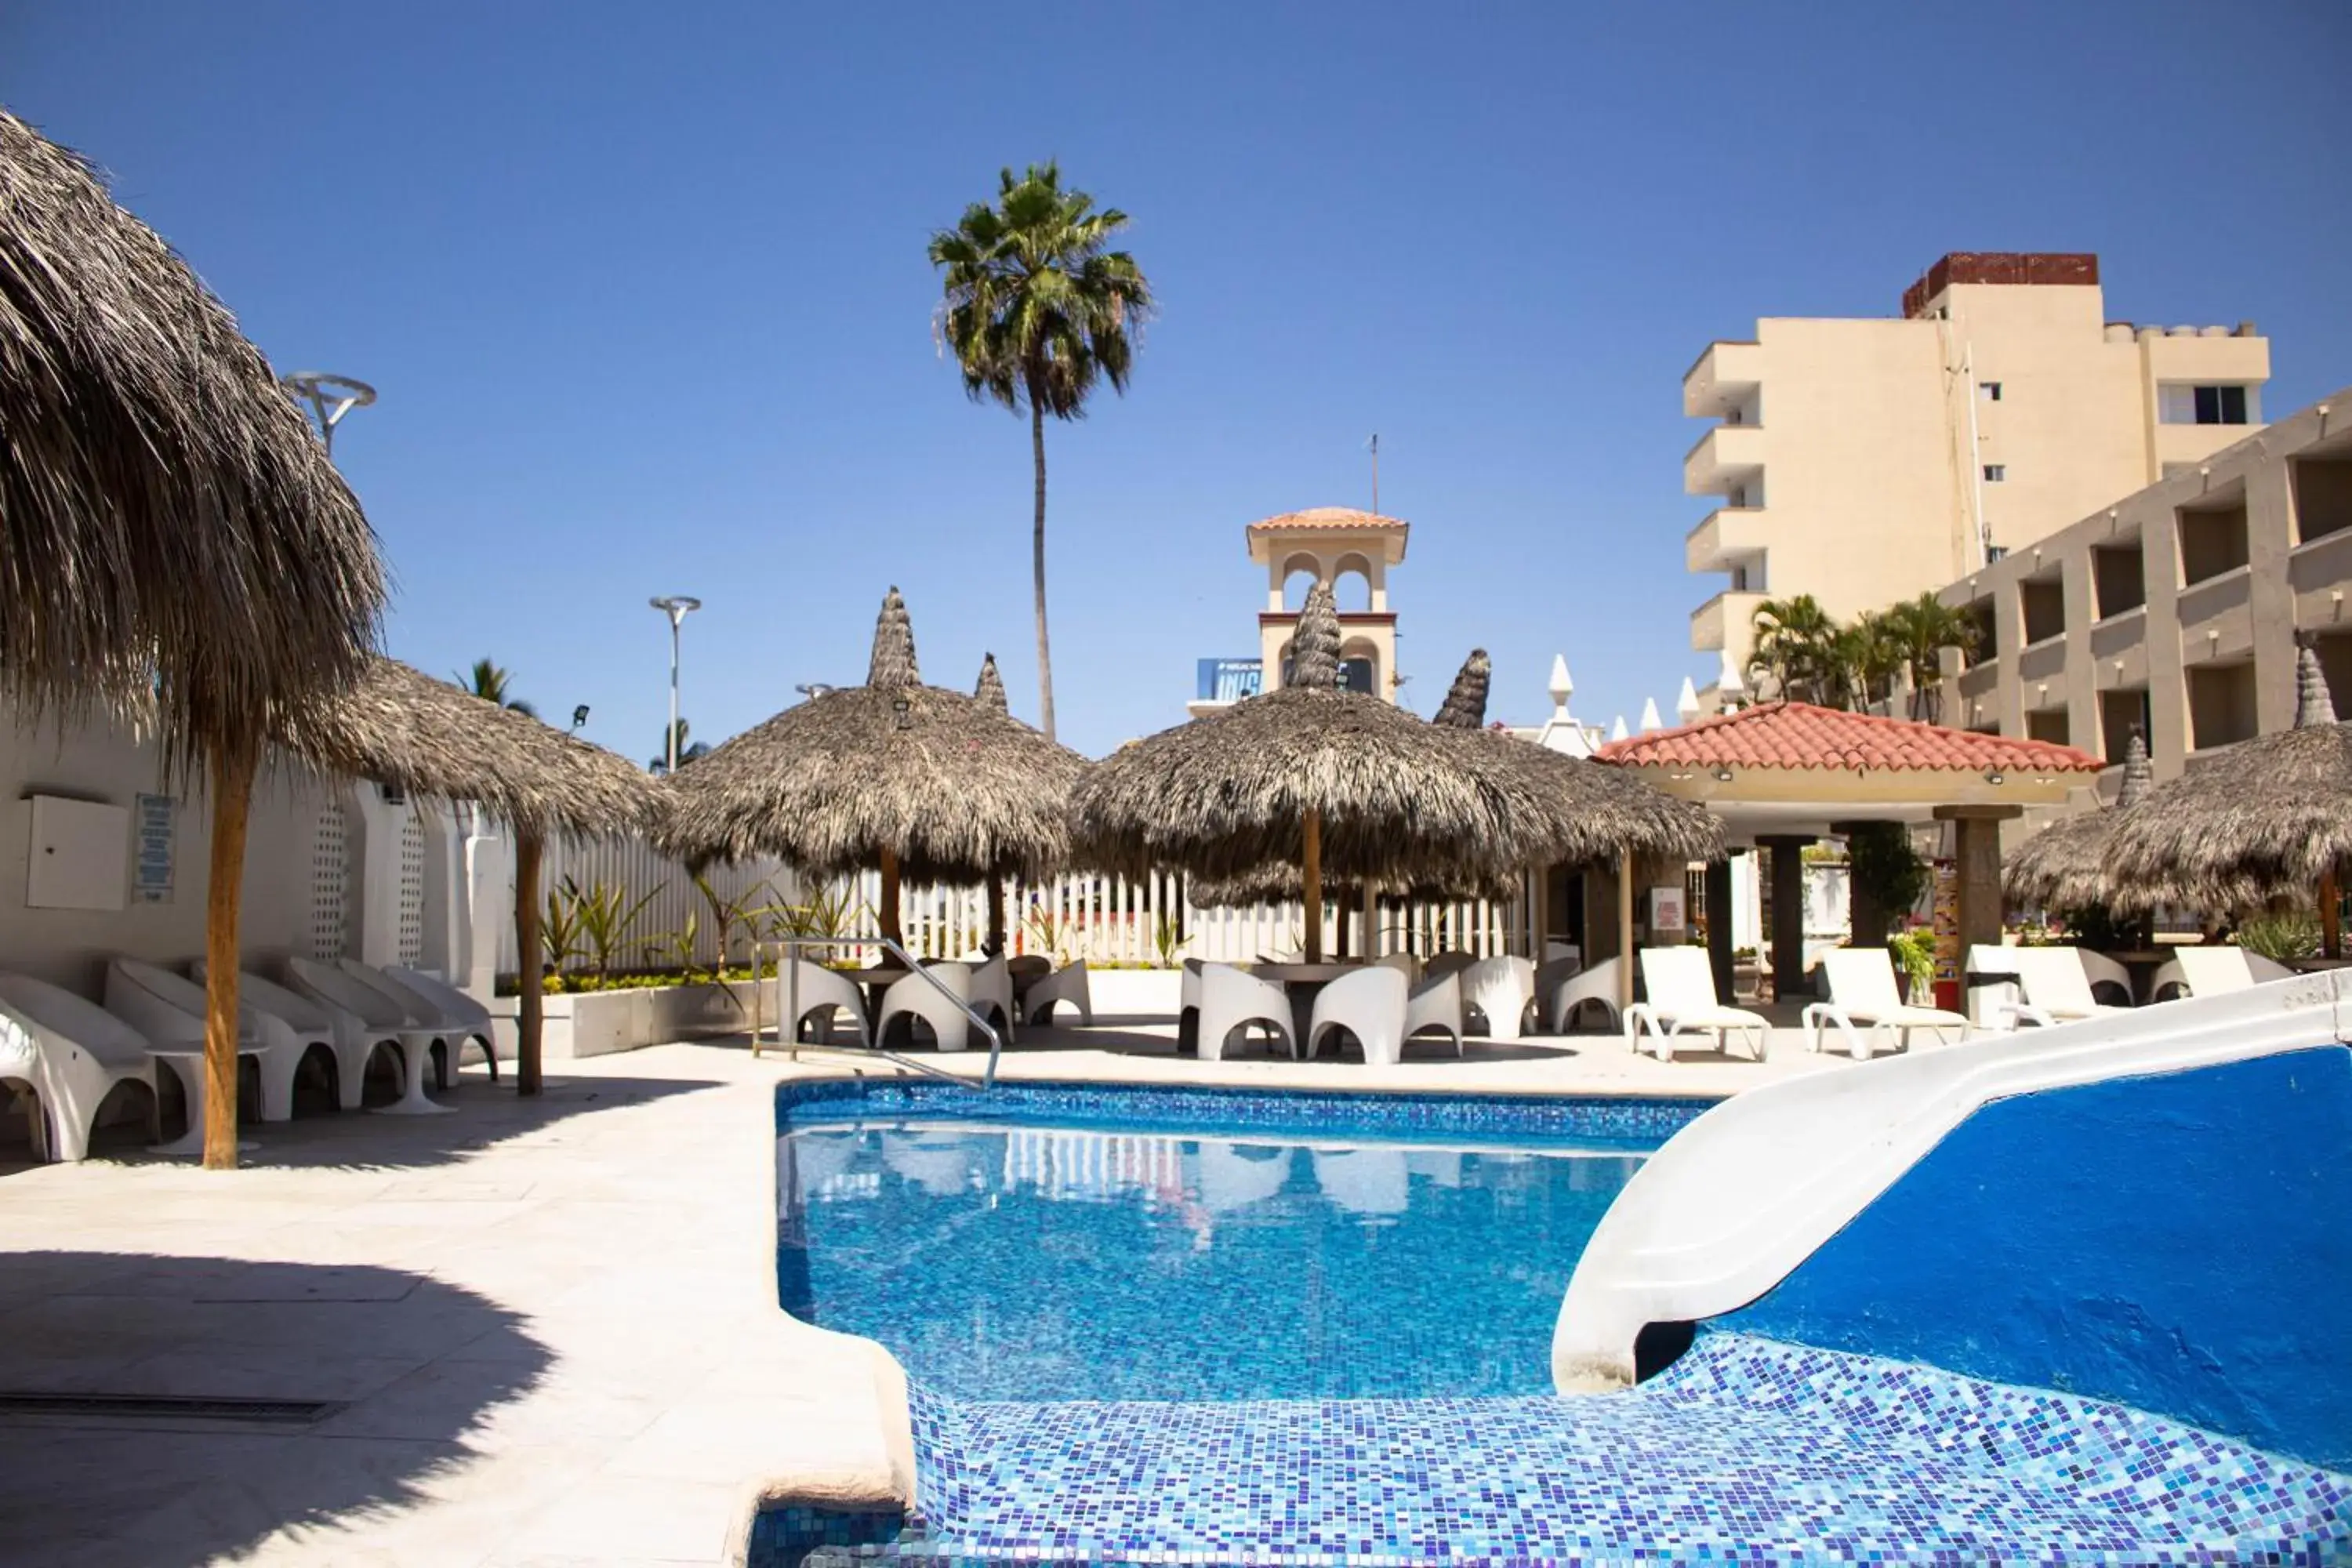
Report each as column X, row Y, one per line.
column 1746, row 1452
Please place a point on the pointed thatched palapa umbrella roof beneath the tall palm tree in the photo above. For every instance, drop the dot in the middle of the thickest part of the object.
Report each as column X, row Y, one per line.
column 940, row 779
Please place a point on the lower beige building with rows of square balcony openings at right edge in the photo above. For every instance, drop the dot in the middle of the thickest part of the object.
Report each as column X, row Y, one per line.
column 2174, row 608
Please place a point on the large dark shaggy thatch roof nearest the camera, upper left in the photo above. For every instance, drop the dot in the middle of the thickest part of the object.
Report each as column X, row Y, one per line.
column 175, row 535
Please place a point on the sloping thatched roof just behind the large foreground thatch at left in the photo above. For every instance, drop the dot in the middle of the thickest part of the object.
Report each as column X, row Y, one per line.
column 403, row 728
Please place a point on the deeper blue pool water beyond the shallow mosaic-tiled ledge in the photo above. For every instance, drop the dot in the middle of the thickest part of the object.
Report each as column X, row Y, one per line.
column 1184, row 1245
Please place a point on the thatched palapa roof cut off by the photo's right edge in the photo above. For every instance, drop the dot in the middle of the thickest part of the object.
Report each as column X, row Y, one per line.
column 2264, row 819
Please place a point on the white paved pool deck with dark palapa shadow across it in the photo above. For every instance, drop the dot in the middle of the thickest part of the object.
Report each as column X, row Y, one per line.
column 552, row 1322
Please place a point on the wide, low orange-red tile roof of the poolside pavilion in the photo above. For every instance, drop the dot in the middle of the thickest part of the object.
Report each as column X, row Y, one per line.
column 1808, row 737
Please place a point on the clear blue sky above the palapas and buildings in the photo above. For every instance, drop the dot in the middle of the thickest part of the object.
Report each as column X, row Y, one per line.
column 646, row 293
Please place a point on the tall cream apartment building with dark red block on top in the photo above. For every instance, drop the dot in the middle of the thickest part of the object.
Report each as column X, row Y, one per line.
column 1873, row 460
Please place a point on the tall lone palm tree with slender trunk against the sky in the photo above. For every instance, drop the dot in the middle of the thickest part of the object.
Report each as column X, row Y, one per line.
column 1036, row 311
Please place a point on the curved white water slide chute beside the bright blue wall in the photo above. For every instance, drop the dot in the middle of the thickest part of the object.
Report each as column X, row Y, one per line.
column 1744, row 1195
